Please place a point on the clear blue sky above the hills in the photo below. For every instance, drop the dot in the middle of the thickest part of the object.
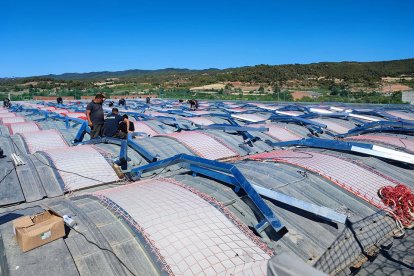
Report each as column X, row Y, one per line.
column 42, row 37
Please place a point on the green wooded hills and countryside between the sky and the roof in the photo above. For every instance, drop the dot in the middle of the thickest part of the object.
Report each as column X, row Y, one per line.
column 336, row 80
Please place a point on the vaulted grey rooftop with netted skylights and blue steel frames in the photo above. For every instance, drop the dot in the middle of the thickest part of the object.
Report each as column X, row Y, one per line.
column 225, row 189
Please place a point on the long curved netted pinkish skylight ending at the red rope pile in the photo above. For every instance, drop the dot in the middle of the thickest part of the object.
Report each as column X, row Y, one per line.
column 364, row 182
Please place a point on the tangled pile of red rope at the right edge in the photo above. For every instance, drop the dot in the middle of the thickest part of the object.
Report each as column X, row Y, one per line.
column 401, row 200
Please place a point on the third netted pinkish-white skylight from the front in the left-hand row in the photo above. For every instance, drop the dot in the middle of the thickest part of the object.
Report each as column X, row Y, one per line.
column 43, row 140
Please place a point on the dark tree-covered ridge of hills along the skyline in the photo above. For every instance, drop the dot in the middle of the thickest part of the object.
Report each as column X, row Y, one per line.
column 352, row 71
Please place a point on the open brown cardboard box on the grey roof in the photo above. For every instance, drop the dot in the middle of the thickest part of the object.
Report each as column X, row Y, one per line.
column 34, row 231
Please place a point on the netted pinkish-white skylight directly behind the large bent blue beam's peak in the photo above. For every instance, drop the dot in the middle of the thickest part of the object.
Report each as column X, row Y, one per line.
column 203, row 145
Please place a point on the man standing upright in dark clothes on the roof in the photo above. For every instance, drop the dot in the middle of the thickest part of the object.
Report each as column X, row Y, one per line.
column 95, row 115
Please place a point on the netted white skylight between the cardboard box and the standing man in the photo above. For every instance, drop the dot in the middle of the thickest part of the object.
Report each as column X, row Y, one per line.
column 81, row 167
